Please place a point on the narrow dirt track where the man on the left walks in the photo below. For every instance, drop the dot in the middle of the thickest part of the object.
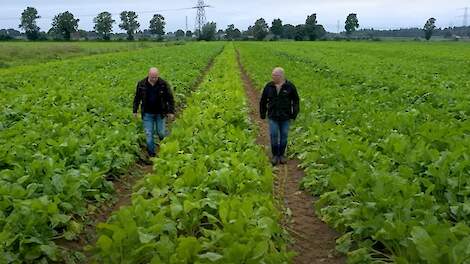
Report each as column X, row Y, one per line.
column 124, row 189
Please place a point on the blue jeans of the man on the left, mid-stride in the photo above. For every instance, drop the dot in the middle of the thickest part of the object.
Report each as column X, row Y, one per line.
column 150, row 121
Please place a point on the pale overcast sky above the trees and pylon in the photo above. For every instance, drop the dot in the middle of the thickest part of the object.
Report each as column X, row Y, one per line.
column 380, row 14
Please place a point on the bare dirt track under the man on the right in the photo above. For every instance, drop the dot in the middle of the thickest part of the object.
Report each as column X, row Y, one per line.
column 314, row 241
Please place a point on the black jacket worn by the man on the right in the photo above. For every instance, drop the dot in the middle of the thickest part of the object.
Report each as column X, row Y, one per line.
column 282, row 106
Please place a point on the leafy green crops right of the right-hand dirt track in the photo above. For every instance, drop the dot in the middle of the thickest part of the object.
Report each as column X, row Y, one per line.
column 386, row 153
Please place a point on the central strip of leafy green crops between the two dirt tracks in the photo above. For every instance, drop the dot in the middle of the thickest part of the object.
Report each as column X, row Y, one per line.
column 209, row 199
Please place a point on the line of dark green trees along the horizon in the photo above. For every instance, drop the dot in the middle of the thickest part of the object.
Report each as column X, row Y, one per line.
column 65, row 24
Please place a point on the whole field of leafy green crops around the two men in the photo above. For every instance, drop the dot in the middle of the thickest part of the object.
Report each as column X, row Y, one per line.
column 383, row 136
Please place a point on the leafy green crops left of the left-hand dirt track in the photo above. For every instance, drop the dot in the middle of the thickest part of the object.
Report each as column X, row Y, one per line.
column 64, row 129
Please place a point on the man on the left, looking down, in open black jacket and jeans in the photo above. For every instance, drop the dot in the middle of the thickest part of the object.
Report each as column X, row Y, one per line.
column 155, row 97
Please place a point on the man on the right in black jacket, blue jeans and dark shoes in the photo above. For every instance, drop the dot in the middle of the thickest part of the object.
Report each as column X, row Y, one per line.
column 281, row 101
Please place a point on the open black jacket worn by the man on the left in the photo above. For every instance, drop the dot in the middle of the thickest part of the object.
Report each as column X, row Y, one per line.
column 166, row 102
